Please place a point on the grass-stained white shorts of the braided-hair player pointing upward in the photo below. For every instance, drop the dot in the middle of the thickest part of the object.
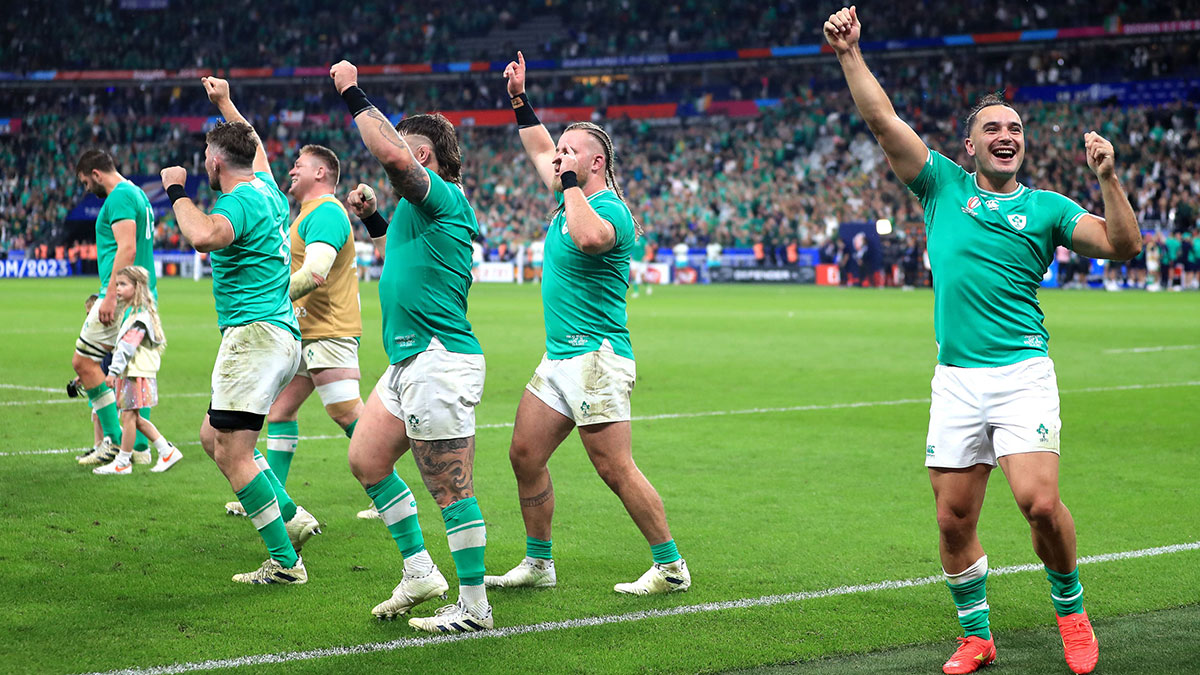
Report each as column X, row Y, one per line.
column 591, row 389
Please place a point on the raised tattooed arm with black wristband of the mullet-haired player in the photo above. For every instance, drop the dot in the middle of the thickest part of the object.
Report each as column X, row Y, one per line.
column 407, row 176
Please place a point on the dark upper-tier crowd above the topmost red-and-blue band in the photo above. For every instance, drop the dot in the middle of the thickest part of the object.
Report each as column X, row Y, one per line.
column 308, row 33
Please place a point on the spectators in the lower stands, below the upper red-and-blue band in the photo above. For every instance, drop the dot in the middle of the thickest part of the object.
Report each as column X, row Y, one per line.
column 787, row 177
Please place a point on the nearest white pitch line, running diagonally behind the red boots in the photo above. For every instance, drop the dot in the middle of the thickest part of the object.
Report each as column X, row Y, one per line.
column 548, row 626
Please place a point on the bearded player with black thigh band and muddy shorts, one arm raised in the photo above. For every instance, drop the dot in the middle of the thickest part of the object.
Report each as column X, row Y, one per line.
column 248, row 242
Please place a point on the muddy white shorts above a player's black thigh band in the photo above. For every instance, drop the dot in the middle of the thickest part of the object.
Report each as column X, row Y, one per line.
column 255, row 363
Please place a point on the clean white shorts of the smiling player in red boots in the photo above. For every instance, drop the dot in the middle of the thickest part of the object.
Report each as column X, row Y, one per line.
column 979, row 415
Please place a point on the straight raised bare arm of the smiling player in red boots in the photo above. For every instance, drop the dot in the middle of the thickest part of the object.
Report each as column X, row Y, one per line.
column 905, row 151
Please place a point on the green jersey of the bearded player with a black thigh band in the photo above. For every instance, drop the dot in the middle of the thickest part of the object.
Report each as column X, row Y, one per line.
column 250, row 277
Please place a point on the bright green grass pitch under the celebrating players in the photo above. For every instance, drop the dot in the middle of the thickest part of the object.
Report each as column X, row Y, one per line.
column 106, row 574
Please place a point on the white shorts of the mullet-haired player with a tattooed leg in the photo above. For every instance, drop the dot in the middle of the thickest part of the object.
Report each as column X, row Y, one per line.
column 435, row 393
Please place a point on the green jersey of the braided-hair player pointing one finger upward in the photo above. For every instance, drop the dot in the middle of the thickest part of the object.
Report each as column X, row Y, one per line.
column 583, row 296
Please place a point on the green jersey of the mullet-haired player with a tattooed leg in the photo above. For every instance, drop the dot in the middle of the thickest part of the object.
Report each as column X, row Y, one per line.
column 427, row 273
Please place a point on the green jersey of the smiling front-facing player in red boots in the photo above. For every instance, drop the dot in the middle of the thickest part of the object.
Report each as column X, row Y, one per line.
column 988, row 254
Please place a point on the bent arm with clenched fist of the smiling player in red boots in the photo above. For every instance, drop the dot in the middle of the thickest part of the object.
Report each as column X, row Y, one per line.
column 1115, row 237
